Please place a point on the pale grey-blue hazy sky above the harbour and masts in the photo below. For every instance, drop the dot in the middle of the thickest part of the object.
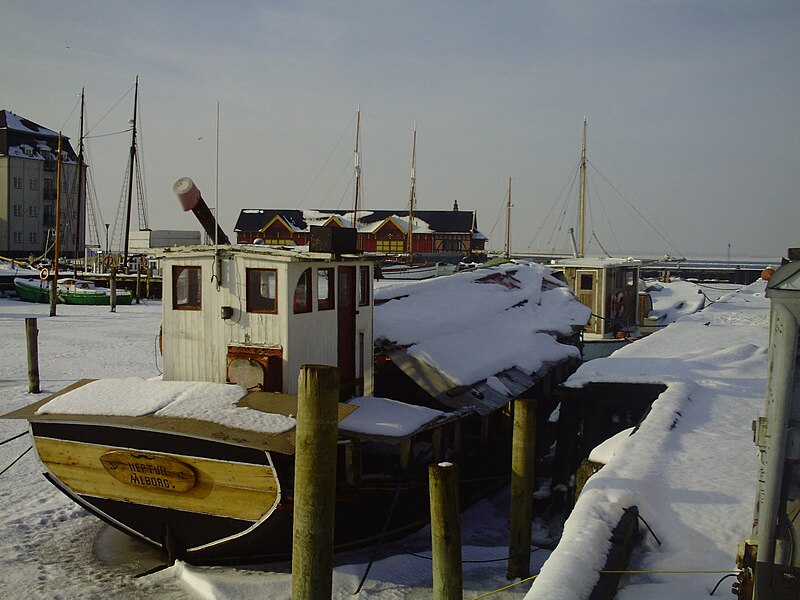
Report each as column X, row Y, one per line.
column 693, row 110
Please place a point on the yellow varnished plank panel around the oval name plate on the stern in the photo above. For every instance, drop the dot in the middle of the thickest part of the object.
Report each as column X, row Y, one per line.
column 229, row 489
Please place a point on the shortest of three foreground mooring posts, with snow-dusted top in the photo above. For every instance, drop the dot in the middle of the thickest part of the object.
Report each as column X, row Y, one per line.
column 445, row 531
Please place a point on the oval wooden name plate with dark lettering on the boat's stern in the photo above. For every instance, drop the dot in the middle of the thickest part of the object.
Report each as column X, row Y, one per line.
column 150, row 471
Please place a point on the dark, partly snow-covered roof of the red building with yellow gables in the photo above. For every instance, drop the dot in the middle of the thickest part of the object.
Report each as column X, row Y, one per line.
column 436, row 221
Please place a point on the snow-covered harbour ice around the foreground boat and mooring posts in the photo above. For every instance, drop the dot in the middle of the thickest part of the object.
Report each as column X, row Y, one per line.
column 52, row 548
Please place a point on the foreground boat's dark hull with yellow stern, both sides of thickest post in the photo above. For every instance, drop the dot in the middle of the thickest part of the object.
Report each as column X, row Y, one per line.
column 250, row 521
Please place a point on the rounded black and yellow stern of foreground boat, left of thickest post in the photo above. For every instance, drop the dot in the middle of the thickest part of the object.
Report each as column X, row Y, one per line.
column 222, row 516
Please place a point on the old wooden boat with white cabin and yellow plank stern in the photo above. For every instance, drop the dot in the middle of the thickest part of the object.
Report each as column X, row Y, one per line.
column 210, row 489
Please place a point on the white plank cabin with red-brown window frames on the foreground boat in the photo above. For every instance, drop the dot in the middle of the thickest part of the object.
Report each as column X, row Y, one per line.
column 253, row 315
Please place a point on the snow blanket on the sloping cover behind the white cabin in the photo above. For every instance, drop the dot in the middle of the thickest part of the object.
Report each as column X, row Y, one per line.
column 475, row 324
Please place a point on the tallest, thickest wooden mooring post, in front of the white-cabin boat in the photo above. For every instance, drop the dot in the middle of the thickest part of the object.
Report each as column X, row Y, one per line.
column 316, row 434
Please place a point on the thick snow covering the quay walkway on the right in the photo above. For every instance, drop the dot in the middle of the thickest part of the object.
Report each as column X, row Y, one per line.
column 691, row 467
